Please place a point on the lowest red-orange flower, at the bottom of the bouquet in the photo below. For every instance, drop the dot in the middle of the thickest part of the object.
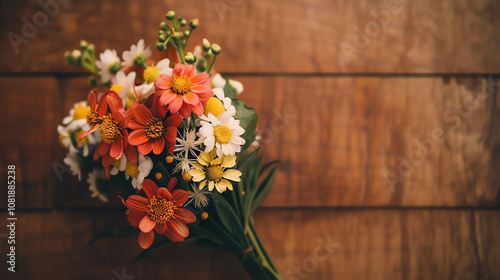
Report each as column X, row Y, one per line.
column 161, row 211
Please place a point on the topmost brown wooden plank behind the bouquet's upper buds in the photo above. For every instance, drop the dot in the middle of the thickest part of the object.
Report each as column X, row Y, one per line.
column 300, row 36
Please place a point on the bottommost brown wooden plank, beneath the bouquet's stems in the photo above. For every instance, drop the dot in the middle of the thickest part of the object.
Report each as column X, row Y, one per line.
column 380, row 244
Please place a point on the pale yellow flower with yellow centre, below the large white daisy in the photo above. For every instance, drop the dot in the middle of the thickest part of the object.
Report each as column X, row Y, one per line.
column 215, row 171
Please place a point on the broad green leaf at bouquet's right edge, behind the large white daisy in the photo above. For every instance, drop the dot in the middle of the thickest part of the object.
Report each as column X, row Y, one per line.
column 248, row 121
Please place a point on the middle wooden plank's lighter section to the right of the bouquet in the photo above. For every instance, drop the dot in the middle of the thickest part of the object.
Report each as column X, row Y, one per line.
column 344, row 141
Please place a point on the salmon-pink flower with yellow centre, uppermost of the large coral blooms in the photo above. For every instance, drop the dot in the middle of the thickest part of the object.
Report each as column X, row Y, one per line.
column 184, row 92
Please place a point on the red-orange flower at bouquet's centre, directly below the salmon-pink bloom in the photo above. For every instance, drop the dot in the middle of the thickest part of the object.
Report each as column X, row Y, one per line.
column 150, row 131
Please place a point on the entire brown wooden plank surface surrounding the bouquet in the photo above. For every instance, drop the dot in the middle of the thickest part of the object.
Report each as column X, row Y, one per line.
column 341, row 129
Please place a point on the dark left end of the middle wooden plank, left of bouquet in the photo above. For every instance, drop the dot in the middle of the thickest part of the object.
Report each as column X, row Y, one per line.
column 28, row 137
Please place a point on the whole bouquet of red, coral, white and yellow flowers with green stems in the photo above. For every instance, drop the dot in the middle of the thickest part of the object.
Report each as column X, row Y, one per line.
column 173, row 140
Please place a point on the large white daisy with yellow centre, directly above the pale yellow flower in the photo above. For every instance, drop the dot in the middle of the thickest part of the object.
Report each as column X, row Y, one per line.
column 222, row 132
